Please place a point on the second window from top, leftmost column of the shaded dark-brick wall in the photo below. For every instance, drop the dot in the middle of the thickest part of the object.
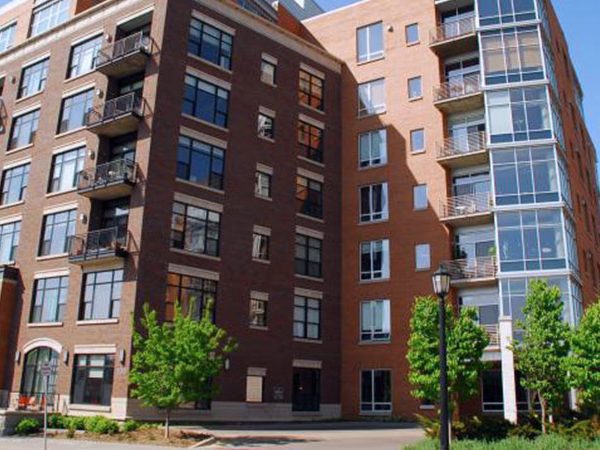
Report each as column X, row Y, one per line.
column 206, row 101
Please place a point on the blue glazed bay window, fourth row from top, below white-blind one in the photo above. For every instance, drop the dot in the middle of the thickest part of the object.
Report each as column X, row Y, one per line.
column 525, row 175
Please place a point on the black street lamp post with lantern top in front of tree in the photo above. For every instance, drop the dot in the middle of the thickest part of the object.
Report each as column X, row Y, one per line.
column 441, row 287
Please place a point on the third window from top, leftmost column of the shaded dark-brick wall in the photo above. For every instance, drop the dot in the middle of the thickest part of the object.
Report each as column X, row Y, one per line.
column 200, row 162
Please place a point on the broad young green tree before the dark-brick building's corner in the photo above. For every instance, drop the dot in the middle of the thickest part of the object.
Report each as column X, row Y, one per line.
column 175, row 363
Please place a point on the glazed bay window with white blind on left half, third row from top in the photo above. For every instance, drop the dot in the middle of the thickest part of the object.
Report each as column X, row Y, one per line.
column 519, row 114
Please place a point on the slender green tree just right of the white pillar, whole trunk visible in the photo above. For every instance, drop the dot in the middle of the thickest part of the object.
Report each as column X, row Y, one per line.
column 541, row 355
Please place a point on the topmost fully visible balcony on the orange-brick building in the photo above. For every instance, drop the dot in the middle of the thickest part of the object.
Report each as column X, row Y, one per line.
column 454, row 37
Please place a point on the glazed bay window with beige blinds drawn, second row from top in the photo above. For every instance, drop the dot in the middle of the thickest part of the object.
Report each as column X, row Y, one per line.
column 512, row 55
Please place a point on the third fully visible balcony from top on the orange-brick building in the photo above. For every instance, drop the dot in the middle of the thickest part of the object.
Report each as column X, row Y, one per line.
column 463, row 151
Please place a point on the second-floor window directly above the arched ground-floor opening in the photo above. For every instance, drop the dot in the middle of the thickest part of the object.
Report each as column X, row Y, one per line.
column 49, row 299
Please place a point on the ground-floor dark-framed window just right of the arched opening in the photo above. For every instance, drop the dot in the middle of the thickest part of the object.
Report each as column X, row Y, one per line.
column 93, row 379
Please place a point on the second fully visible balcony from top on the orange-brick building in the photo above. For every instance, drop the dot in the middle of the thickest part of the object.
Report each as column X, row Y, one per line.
column 459, row 95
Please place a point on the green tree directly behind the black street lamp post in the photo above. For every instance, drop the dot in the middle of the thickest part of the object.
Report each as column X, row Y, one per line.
column 466, row 342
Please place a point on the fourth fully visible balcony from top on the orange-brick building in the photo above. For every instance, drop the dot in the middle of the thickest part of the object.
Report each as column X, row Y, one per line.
column 470, row 209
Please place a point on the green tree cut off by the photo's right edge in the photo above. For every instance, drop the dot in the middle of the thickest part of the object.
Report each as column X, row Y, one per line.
column 583, row 364
